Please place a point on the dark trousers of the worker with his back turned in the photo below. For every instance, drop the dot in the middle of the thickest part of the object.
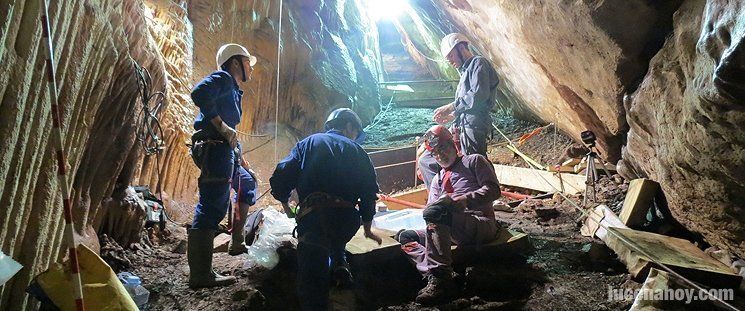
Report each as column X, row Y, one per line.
column 322, row 237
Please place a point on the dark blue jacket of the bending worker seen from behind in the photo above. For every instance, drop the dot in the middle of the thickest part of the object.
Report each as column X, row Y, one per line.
column 330, row 163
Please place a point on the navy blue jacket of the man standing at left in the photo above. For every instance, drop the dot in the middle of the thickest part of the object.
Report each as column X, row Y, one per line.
column 217, row 94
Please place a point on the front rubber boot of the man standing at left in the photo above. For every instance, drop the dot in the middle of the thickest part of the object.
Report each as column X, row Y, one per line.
column 199, row 255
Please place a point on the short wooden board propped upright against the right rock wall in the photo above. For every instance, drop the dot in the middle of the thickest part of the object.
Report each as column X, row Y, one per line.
column 638, row 199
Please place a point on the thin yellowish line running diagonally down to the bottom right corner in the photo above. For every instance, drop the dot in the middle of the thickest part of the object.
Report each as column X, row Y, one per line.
column 628, row 242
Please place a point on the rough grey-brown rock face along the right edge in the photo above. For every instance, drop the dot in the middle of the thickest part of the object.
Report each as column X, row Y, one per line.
column 687, row 122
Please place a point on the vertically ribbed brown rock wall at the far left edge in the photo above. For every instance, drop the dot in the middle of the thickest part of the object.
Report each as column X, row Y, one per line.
column 93, row 44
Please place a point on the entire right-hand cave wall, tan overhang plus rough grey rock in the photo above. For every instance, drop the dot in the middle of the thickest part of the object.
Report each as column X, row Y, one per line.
column 659, row 82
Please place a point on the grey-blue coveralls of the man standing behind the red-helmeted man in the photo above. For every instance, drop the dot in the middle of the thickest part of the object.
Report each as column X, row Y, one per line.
column 474, row 98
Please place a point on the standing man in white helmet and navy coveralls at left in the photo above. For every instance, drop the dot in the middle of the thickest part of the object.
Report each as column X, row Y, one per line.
column 216, row 151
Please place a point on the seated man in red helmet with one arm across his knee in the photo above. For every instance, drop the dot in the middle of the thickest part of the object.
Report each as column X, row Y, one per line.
column 459, row 210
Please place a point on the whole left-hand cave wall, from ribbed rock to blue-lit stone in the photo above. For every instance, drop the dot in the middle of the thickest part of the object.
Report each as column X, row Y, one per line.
column 328, row 60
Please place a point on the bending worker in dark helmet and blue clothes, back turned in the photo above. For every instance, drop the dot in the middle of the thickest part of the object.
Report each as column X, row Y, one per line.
column 332, row 174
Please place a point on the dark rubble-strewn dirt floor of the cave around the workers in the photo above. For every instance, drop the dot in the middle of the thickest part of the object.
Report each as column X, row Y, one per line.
column 563, row 271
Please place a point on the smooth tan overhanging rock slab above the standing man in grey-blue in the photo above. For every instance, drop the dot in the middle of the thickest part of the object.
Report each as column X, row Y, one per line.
column 568, row 62
